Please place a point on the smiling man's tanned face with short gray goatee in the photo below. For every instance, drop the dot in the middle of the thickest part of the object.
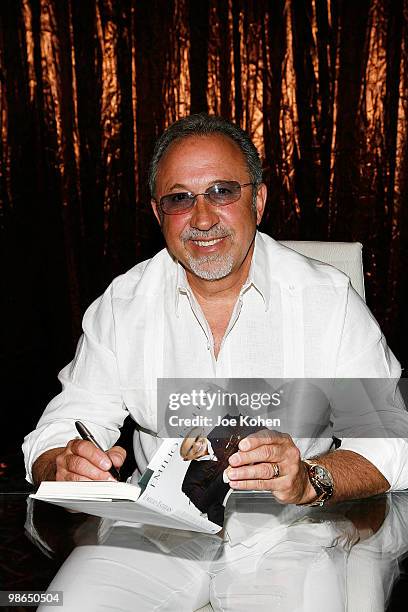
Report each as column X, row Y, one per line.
column 211, row 242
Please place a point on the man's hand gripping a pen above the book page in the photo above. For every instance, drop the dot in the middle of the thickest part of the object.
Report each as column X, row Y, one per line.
column 79, row 460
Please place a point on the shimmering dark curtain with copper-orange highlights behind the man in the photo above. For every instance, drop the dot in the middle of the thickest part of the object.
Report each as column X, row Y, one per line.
column 86, row 86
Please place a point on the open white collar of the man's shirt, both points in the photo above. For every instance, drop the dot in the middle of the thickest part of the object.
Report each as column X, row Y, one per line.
column 258, row 276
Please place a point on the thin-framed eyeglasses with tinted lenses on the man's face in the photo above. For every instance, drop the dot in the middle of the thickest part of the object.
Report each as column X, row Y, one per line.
column 219, row 194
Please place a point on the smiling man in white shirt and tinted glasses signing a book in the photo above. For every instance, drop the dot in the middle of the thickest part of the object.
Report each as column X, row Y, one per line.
column 221, row 301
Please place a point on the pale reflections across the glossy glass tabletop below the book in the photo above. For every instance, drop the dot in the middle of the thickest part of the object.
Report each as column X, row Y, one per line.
column 344, row 557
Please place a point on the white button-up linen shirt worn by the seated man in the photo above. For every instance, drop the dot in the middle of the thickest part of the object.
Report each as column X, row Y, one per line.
column 294, row 318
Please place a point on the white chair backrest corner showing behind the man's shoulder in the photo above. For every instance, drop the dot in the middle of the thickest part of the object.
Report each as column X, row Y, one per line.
column 345, row 256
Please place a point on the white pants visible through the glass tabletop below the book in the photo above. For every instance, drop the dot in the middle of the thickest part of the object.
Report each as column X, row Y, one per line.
column 300, row 568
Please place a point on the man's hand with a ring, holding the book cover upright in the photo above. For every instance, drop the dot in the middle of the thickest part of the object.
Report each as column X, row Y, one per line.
column 252, row 467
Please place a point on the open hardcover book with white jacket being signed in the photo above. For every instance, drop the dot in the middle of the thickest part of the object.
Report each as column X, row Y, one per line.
column 158, row 499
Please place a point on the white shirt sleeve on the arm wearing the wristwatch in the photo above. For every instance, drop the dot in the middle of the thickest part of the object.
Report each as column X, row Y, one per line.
column 364, row 354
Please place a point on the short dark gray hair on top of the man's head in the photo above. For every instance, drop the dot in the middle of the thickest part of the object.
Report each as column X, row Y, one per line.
column 201, row 124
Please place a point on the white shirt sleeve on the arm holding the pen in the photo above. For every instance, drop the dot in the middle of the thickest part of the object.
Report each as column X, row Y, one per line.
column 91, row 390
